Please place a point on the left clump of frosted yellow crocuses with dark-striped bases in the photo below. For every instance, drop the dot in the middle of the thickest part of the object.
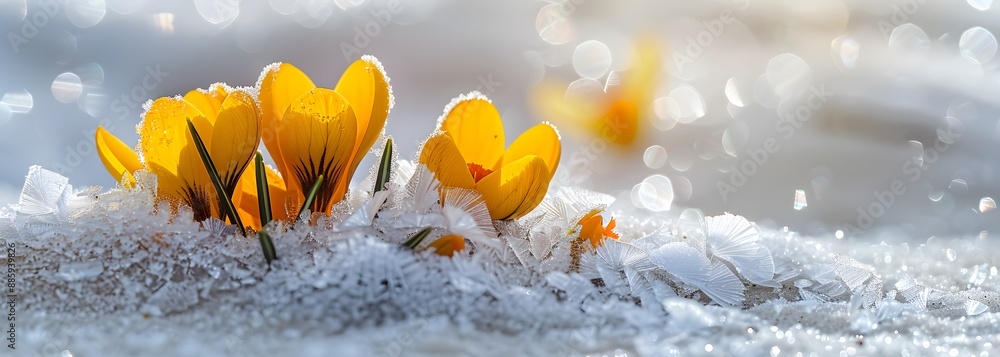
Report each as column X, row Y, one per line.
column 310, row 132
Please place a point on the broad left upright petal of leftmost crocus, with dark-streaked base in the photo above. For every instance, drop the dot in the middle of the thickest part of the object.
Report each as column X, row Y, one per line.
column 170, row 154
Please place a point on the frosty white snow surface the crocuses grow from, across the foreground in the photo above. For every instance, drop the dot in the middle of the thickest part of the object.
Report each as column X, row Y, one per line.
column 114, row 273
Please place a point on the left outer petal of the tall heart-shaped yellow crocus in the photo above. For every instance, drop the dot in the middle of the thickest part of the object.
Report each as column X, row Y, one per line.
column 279, row 85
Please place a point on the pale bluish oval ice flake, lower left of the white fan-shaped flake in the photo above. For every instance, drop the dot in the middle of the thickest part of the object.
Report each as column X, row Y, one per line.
column 683, row 262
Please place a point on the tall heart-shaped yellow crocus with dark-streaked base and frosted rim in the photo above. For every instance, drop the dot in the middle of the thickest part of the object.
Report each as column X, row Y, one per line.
column 312, row 131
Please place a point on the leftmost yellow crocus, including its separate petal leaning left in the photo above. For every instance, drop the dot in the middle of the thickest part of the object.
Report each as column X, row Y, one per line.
column 230, row 116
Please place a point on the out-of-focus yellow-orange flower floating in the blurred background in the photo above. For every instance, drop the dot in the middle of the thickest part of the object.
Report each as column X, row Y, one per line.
column 618, row 114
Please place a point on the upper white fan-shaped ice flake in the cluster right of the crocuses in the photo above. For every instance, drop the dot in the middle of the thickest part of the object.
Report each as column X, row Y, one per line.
column 730, row 237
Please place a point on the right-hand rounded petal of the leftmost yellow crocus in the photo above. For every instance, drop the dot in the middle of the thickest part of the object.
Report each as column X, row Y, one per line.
column 237, row 131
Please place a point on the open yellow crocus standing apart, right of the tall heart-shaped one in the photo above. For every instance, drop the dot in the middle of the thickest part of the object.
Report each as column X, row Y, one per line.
column 468, row 152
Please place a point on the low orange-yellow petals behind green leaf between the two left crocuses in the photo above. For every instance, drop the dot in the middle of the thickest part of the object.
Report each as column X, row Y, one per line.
column 245, row 197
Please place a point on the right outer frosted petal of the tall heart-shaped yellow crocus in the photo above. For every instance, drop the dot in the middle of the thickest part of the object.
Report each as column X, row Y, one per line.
column 366, row 87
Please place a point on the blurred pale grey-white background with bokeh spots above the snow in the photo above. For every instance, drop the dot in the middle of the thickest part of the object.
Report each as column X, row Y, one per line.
column 849, row 99
